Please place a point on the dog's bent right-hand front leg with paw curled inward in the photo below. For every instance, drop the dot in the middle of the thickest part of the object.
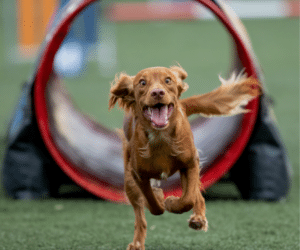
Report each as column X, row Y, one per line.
column 190, row 183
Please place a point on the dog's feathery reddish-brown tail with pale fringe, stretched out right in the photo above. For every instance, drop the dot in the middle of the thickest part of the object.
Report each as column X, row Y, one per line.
column 227, row 100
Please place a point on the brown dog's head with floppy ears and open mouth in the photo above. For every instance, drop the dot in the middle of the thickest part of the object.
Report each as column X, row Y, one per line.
column 153, row 93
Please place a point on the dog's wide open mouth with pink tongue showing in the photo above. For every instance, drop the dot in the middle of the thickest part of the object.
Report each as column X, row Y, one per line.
column 158, row 114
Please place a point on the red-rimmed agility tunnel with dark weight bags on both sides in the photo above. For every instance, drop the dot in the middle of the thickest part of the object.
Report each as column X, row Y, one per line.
column 52, row 131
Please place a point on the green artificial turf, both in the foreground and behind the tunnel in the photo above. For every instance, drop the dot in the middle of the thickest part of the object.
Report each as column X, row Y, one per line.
column 202, row 48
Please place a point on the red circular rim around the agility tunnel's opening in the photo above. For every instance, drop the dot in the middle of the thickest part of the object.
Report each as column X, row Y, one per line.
column 95, row 184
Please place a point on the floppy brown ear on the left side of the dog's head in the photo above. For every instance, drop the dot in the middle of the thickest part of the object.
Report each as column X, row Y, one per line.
column 122, row 91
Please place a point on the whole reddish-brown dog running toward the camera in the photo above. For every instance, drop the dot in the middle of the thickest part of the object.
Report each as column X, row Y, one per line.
column 158, row 141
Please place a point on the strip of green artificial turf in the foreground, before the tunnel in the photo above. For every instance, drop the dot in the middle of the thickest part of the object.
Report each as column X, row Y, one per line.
column 89, row 224
